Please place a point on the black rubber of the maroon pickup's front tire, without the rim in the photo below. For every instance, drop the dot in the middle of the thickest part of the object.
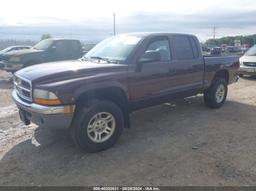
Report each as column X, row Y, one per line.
column 81, row 121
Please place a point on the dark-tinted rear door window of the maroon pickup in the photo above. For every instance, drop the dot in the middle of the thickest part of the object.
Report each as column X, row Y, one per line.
column 182, row 49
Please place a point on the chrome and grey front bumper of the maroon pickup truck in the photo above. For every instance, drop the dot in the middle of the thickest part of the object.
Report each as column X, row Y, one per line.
column 45, row 116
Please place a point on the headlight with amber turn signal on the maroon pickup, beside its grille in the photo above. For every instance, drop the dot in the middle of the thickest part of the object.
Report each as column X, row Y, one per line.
column 45, row 97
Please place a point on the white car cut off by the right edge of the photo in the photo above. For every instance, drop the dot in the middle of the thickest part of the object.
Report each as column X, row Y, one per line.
column 248, row 62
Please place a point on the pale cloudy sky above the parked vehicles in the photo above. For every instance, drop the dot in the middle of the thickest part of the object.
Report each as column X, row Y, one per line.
column 93, row 19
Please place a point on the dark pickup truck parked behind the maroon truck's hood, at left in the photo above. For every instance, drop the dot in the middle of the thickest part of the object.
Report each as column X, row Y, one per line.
column 45, row 51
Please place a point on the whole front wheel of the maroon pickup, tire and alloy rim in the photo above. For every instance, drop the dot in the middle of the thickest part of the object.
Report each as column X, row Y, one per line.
column 98, row 126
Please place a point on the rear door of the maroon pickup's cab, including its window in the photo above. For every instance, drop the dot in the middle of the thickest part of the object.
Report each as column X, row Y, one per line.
column 187, row 64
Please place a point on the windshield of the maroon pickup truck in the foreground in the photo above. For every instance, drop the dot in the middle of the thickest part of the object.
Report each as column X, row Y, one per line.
column 114, row 49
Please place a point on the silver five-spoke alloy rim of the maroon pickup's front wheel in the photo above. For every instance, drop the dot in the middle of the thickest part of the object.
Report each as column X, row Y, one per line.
column 101, row 127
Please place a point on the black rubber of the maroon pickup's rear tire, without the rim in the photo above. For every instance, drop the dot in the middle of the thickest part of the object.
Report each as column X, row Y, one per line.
column 210, row 95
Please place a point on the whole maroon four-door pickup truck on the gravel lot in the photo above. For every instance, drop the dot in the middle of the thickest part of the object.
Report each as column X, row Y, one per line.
column 93, row 96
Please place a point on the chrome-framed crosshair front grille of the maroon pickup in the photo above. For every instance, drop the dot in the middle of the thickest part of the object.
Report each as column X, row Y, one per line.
column 23, row 88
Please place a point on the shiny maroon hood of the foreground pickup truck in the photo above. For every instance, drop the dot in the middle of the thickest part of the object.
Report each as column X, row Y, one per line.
column 65, row 70
